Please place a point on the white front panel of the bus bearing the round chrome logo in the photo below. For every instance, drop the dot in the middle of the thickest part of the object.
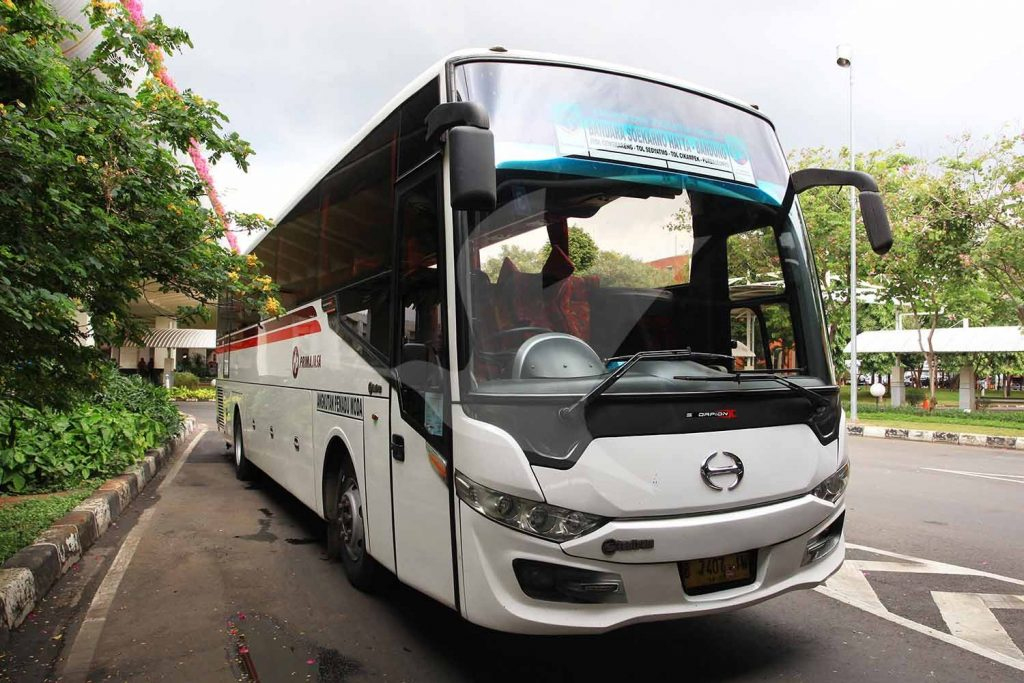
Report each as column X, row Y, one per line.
column 658, row 476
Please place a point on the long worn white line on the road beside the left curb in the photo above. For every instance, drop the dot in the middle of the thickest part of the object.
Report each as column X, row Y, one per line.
column 80, row 654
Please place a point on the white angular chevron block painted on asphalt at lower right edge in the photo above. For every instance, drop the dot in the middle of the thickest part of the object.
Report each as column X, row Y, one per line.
column 970, row 617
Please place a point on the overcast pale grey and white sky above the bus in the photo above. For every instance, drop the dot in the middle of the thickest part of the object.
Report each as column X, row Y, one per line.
column 298, row 77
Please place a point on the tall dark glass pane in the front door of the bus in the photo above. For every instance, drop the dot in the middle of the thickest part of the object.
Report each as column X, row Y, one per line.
column 420, row 329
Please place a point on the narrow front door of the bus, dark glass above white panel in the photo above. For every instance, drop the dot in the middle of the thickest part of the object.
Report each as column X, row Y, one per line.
column 420, row 486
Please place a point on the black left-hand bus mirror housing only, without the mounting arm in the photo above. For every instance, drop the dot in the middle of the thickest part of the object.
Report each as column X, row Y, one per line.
column 472, row 161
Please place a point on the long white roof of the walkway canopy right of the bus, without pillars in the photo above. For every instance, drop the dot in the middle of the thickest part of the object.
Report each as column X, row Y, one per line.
column 947, row 340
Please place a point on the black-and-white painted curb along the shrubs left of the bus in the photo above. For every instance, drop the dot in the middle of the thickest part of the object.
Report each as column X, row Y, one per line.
column 32, row 572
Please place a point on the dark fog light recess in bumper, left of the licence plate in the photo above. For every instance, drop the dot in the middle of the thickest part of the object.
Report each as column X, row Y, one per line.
column 557, row 583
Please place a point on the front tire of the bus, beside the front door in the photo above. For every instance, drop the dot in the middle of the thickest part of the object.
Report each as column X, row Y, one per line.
column 347, row 533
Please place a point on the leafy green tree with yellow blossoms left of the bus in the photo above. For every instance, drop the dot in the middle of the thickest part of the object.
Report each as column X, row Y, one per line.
column 96, row 200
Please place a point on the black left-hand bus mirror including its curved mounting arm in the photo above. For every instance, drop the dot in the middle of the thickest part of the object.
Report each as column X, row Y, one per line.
column 472, row 153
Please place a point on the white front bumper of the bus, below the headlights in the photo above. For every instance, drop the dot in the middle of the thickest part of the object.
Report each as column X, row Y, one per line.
column 493, row 596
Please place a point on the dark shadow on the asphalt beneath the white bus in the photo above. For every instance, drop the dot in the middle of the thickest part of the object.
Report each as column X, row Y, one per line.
column 716, row 648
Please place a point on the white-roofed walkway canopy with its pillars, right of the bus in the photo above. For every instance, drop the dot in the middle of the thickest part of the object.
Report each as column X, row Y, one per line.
column 1007, row 339
